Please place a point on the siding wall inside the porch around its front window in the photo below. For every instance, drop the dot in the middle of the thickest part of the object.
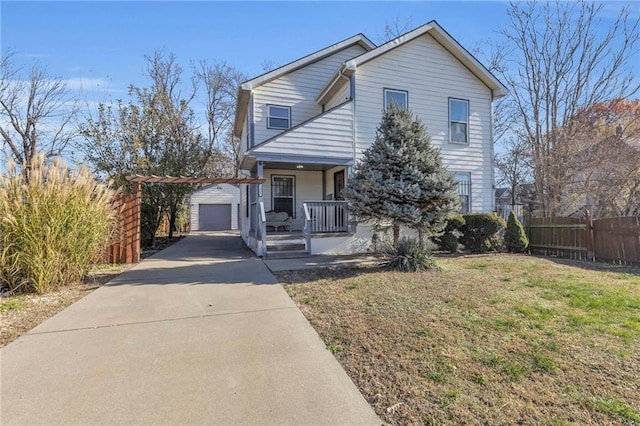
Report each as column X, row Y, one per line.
column 308, row 187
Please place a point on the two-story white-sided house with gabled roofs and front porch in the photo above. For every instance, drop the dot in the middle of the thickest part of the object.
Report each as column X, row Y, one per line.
column 303, row 127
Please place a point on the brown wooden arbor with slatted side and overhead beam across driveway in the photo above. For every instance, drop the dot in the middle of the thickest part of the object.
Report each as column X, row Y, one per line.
column 127, row 248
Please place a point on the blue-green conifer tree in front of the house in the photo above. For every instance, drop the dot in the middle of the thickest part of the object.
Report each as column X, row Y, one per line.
column 401, row 180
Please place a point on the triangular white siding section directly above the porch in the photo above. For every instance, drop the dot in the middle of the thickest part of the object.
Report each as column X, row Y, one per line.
column 330, row 135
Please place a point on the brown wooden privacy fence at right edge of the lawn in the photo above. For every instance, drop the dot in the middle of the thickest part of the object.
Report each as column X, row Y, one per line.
column 613, row 240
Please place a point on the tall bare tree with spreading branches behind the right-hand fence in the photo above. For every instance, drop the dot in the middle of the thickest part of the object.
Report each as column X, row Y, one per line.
column 558, row 64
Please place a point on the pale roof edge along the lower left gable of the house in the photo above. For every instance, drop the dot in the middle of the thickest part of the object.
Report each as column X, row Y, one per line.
column 245, row 88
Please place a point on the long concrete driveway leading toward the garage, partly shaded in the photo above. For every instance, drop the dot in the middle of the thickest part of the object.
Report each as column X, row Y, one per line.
column 201, row 333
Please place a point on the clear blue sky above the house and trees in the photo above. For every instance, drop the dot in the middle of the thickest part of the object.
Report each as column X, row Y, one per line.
column 100, row 46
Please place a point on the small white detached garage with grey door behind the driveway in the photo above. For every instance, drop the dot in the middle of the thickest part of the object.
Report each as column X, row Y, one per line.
column 215, row 208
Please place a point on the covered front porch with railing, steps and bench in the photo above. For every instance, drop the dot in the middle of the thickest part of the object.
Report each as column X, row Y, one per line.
column 310, row 193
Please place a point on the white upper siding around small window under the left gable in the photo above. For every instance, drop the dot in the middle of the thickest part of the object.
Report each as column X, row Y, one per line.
column 298, row 90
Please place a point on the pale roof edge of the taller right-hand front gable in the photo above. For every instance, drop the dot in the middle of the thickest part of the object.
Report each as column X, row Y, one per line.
column 441, row 36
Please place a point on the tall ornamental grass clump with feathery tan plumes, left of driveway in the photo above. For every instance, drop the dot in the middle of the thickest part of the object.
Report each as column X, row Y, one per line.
column 53, row 225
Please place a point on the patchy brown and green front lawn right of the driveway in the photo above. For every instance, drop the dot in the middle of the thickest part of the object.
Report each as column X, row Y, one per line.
column 494, row 339
